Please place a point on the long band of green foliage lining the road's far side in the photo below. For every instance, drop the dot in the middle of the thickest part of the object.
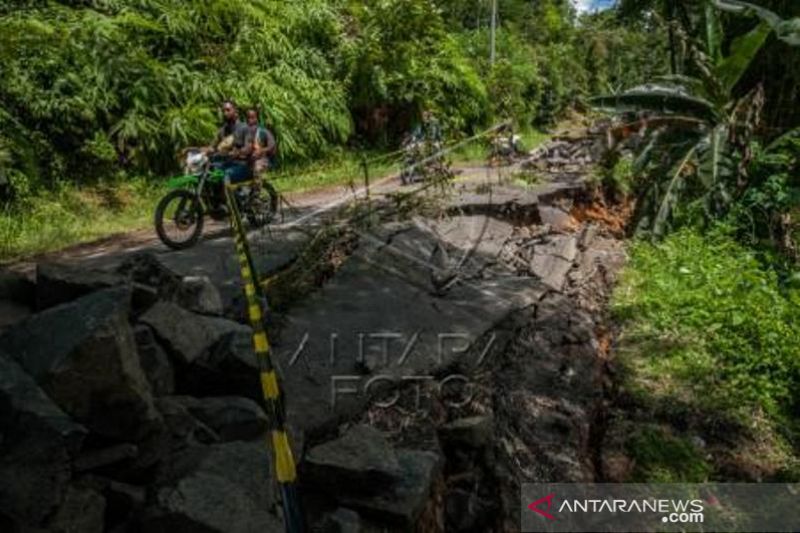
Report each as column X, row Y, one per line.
column 109, row 90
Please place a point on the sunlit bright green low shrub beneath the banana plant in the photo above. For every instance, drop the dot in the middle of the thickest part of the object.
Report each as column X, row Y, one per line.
column 706, row 323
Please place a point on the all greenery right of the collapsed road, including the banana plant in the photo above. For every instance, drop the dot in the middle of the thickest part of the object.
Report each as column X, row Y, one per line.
column 709, row 303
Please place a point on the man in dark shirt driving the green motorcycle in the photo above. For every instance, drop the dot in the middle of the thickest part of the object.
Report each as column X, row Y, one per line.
column 231, row 145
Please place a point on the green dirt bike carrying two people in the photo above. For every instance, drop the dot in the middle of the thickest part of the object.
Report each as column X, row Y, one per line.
column 200, row 192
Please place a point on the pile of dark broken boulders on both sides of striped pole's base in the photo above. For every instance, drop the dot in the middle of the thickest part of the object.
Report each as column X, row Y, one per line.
column 129, row 403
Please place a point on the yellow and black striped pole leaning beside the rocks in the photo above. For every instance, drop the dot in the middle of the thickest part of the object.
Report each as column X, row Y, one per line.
column 284, row 465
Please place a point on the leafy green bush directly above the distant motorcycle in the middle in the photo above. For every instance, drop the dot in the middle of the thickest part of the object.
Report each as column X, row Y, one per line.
column 402, row 59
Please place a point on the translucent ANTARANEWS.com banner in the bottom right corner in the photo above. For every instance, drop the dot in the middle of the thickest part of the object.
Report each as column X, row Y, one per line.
column 666, row 507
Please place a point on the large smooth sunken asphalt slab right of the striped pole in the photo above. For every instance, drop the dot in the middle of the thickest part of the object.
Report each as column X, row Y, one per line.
column 386, row 324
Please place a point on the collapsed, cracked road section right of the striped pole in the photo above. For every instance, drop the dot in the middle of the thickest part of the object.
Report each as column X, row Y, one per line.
column 470, row 335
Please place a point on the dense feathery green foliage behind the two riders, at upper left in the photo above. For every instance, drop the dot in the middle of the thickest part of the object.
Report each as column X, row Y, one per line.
column 131, row 82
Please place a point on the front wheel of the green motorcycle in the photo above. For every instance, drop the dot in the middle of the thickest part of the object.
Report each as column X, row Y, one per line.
column 179, row 219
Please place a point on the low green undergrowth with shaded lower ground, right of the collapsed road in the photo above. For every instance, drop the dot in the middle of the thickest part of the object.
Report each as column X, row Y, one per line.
column 709, row 341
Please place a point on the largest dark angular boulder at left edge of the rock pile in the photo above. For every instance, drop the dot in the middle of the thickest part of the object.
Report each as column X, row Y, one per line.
column 84, row 357
